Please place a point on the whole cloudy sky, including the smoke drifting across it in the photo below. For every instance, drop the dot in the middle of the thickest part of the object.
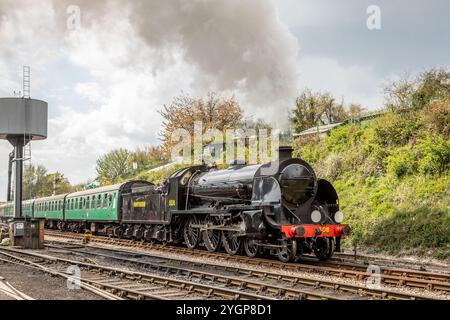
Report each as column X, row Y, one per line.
column 106, row 67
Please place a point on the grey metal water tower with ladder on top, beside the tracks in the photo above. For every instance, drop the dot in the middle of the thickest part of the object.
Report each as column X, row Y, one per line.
column 21, row 121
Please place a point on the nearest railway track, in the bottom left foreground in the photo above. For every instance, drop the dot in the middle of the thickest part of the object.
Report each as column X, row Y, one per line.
column 118, row 284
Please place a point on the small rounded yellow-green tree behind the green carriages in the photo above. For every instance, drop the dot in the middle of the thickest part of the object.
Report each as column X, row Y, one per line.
column 114, row 166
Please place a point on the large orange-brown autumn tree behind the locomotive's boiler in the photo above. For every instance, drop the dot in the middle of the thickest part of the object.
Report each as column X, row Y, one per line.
column 213, row 111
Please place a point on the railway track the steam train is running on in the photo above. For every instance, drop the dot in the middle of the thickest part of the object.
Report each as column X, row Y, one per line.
column 390, row 276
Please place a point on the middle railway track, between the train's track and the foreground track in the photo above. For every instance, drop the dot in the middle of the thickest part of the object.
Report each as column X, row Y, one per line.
column 280, row 282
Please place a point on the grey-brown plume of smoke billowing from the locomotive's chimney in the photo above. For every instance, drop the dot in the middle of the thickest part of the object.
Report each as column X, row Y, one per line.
column 238, row 47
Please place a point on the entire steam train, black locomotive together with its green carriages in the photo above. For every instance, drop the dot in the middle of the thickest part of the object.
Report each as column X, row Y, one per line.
column 280, row 208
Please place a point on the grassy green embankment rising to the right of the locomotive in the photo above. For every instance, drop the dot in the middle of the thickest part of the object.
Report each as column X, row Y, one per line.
column 392, row 176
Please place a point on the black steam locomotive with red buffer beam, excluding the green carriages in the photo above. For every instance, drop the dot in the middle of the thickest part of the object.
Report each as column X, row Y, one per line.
column 280, row 208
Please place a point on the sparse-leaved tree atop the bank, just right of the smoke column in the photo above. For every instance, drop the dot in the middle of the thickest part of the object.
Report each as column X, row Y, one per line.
column 313, row 109
